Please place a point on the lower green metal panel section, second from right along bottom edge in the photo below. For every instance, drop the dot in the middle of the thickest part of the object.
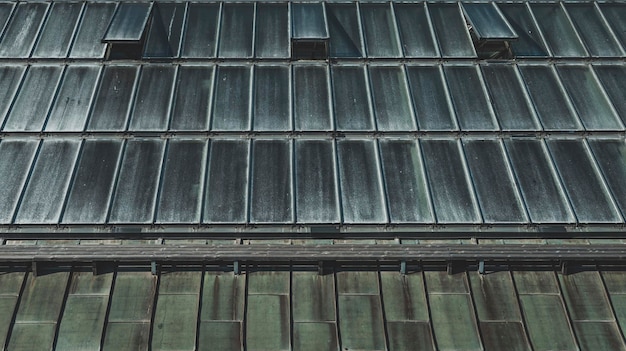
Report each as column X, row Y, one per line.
column 547, row 323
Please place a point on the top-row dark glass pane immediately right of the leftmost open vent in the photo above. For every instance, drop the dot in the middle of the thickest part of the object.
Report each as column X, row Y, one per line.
column 165, row 30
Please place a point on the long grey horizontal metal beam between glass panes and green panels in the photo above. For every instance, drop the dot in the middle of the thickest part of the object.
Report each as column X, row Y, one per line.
column 311, row 253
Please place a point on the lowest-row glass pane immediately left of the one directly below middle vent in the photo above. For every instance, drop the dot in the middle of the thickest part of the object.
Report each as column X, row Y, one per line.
column 271, row 189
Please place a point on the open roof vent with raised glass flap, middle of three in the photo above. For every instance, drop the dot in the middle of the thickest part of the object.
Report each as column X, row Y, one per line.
column 309, row 32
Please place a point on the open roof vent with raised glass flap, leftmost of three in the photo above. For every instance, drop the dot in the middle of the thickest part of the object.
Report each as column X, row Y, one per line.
column 125, row 36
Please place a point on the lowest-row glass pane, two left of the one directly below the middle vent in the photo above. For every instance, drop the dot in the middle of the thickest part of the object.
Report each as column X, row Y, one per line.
column 227, row 185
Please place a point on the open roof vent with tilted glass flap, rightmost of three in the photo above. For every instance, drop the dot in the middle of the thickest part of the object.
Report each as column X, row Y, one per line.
column 491, row 32
